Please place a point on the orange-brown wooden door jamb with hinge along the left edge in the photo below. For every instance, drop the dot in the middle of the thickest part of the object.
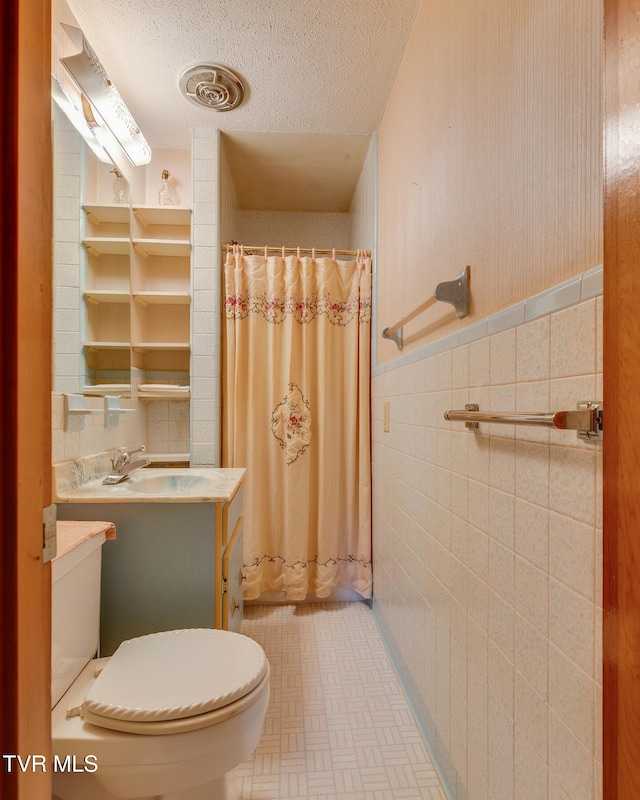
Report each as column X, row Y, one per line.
column 25, row 400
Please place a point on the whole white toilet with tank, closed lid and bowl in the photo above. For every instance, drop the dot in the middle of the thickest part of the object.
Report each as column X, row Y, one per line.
column 166, row 717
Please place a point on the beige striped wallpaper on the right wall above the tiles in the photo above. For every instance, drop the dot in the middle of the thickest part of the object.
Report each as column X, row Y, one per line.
column 489, row 155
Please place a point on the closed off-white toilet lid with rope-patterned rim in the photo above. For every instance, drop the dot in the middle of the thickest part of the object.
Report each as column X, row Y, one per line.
column 176, row 674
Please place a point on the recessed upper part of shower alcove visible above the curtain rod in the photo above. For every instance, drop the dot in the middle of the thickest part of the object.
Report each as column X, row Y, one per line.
column 296, row 190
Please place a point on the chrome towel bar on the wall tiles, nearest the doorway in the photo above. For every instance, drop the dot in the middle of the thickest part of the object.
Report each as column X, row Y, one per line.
column 586, row 419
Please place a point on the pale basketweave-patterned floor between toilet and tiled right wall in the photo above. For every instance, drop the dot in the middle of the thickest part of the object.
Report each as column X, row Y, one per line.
column 338, row 725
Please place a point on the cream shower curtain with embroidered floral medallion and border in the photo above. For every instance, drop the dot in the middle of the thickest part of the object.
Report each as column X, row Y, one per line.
column 295, row 411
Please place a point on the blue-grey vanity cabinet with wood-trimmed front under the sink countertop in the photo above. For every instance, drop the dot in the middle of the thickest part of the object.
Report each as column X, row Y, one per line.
column 172, row 565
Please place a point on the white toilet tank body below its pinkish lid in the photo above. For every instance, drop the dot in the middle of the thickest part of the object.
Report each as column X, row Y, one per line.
column 75, row 612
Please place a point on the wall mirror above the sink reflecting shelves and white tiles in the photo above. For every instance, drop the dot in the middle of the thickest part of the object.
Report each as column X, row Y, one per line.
column 91, row 325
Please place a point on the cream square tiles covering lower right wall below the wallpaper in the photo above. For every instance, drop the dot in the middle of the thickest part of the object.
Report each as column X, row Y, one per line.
column 518, row 510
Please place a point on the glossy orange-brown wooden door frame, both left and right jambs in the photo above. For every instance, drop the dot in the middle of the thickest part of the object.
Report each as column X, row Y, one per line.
column 25, row 303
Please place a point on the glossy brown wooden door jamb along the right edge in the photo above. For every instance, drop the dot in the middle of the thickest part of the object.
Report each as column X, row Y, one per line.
column 621, row 479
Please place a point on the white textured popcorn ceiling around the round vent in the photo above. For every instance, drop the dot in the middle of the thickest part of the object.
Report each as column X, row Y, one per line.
column 311, row 66
